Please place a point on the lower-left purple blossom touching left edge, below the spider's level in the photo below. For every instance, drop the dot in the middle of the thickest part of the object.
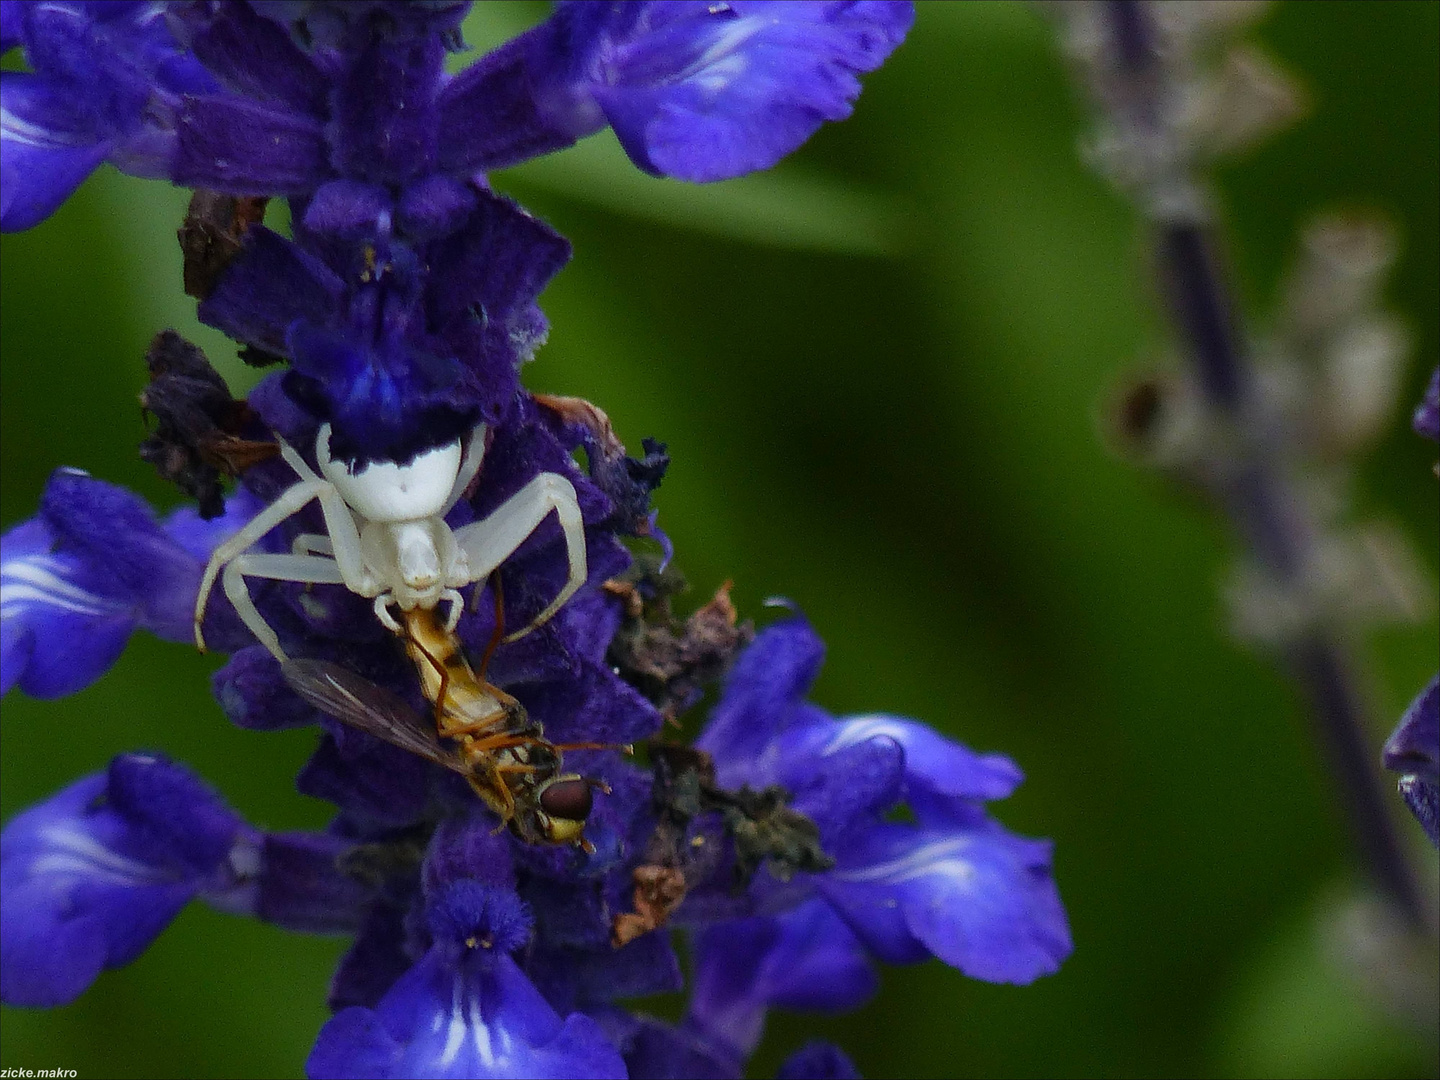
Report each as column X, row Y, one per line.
column 93, row 876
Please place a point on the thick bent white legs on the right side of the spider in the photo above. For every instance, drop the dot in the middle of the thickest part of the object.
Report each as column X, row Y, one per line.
column 490, row 542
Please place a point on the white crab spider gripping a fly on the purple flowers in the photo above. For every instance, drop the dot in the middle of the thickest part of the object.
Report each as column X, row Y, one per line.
column 388, row 536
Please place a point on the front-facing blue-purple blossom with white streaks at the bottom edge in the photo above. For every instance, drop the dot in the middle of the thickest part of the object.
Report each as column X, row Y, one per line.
column 466, row 1010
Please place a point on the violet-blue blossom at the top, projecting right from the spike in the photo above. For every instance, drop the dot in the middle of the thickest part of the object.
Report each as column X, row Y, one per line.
column 695, row 90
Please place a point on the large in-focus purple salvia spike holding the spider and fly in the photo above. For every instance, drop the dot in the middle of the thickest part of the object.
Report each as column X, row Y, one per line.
column 404, row 305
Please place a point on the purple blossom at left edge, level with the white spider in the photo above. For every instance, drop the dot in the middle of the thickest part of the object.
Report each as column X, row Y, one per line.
column 83, row 575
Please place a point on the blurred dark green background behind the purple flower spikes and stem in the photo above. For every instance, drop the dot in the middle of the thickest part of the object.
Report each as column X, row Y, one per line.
column 878, row 371
